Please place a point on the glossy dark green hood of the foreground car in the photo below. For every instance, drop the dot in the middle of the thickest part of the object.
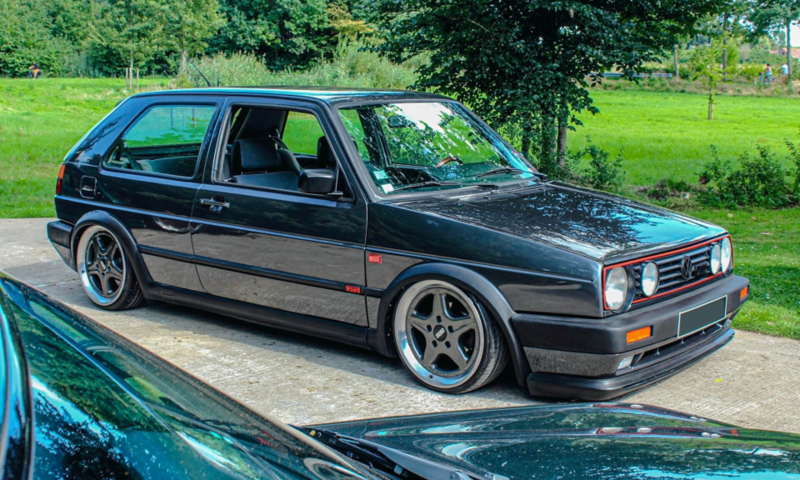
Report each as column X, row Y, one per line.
column 591, row 441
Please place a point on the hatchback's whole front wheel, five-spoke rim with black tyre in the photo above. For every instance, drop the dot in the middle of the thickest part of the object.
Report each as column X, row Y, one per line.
column 446, row 339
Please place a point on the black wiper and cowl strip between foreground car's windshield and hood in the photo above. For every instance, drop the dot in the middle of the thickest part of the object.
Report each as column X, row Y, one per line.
column 387, row 460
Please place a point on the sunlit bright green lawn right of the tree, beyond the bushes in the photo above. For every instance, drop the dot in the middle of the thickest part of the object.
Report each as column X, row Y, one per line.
column 669, row 134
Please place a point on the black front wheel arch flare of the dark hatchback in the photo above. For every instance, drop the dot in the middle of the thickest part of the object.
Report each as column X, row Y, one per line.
column 465, row 279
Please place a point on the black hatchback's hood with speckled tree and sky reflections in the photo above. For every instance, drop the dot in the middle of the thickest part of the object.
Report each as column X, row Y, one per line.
column 594, row 224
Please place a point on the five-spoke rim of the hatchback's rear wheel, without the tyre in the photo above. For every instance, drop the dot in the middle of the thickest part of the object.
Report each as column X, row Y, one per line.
column 101, row 261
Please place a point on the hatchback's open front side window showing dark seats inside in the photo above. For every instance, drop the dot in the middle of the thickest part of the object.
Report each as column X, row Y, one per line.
column 257, row 154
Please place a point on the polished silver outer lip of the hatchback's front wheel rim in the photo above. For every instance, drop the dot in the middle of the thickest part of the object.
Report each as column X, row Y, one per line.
column 407, row 345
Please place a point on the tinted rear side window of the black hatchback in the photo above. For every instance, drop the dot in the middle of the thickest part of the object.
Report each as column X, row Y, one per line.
column 165, row 140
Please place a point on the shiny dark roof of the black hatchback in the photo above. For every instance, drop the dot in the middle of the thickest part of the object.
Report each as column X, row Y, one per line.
column 324, row 94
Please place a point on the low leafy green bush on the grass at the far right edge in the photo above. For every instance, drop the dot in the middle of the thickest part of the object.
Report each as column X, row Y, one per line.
column 760, row 181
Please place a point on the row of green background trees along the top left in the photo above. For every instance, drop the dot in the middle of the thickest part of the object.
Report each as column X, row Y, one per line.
column 101, row 37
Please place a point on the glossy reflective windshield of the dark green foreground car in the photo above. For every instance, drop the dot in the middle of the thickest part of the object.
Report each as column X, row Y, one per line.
column 104, row 409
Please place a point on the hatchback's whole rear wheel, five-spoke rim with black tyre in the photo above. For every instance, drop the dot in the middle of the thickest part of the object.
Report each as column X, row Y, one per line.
column 106, row 274
